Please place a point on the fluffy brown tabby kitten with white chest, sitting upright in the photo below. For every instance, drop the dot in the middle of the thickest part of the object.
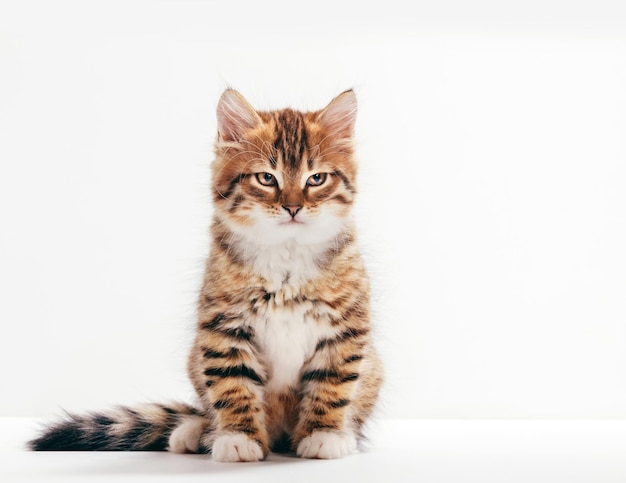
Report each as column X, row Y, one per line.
column 283, row 356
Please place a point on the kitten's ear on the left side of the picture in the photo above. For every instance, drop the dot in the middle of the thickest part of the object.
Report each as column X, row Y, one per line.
column 235, row 116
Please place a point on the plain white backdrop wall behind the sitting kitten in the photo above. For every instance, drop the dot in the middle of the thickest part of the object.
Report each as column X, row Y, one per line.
column 492, row 192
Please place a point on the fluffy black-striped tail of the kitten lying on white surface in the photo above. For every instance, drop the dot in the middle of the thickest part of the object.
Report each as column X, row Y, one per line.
column 145, row 428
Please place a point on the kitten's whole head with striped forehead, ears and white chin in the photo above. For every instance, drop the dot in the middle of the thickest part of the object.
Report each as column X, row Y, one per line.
column 284, row 174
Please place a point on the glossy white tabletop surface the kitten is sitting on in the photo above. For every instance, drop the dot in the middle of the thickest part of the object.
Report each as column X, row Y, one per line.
column 403, row 451
